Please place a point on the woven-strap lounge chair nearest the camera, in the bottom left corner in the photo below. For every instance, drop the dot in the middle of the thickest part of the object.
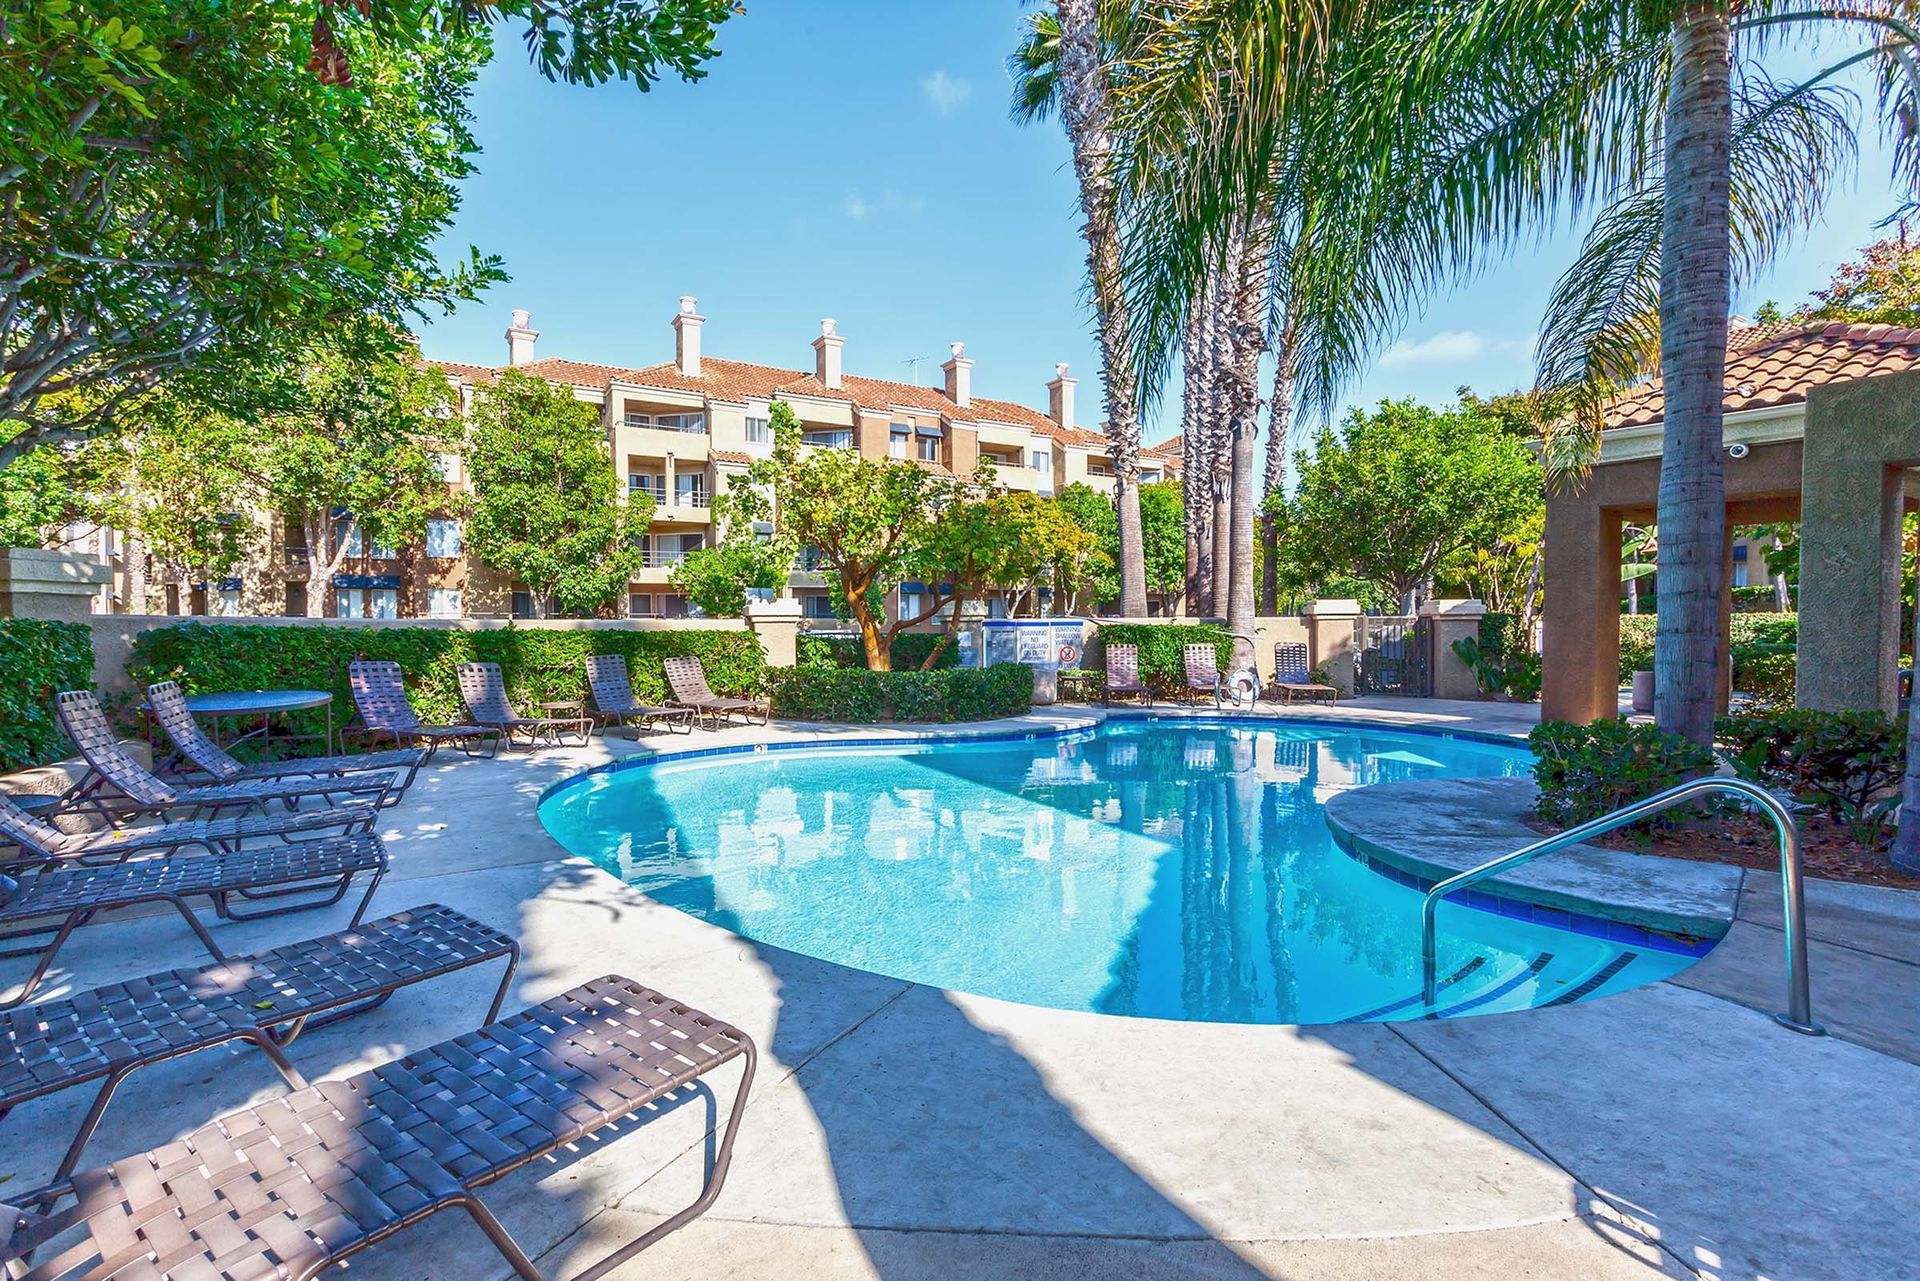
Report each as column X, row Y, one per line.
column 293, row 1186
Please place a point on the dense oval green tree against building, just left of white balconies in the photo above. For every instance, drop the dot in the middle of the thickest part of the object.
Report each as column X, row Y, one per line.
column 548, row 508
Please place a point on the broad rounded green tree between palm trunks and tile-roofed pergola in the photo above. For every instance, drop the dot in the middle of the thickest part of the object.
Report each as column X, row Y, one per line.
column 1404, row 493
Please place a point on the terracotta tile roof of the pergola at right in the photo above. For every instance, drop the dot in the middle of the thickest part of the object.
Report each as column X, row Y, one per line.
column 1779, row 364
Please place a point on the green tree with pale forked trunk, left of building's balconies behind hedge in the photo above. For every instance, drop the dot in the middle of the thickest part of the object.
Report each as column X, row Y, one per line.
column 348, row 448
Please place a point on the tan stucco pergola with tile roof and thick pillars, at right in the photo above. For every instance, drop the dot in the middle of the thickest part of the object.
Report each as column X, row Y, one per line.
column 1823, row 427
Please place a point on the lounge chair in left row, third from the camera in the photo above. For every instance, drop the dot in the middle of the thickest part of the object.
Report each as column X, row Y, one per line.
column 49, row 902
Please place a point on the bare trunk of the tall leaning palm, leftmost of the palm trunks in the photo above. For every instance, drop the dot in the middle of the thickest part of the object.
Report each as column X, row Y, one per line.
column 1086, row 105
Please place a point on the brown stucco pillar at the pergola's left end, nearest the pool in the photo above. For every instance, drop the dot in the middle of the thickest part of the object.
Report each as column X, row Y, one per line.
column 1581, row 640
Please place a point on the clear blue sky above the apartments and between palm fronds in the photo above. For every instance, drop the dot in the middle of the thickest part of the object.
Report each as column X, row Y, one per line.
column 855, row 160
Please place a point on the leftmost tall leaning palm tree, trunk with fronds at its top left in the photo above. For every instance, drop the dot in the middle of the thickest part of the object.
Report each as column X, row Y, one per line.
column 1067, row 64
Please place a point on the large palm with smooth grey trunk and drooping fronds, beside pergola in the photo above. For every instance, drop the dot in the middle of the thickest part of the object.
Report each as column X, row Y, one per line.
column 1433, row 160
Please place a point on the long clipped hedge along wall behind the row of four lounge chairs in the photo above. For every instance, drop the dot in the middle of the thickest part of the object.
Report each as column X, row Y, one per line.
column 539, row 665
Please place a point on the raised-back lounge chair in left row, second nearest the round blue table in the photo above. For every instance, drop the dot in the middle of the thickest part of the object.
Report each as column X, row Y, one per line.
column 141, row 790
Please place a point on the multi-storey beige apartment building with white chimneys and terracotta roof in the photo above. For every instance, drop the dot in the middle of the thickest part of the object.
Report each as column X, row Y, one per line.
column 681, row 431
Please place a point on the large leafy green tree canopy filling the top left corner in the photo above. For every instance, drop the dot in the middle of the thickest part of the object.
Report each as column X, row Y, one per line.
column 176, row 193
